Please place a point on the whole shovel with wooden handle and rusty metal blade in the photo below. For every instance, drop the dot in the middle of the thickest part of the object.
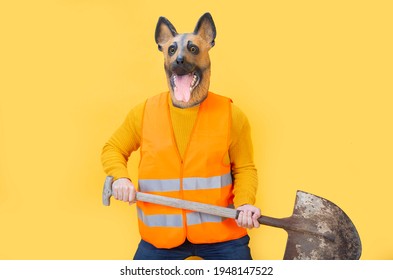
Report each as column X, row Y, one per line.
column 317, row 230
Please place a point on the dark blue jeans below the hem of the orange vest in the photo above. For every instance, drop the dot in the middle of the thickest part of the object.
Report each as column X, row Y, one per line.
column 230, row 250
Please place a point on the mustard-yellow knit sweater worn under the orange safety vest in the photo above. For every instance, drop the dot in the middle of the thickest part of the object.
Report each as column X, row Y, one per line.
column 127, row 139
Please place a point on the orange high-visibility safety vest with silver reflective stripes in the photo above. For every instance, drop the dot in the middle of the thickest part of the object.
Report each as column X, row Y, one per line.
column 200, row 176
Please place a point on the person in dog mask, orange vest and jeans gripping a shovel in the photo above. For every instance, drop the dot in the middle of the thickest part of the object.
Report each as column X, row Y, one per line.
column 195, row 145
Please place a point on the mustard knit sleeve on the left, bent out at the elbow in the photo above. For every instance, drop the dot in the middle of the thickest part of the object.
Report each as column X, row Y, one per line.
column 122, row 143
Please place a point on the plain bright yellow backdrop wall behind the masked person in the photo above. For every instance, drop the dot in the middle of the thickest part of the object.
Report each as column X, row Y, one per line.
column 314, row 78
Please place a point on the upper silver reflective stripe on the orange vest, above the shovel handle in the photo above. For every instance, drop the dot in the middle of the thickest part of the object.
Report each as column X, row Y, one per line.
column 169, row 185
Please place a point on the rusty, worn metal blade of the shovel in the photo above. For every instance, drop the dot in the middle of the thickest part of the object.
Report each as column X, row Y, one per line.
column 325, row 231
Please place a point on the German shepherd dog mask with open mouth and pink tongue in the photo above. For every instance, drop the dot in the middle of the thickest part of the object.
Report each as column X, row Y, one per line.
column 186, row 60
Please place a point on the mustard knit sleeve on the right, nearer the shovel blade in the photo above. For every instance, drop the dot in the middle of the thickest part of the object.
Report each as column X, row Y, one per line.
column 241, row 156
